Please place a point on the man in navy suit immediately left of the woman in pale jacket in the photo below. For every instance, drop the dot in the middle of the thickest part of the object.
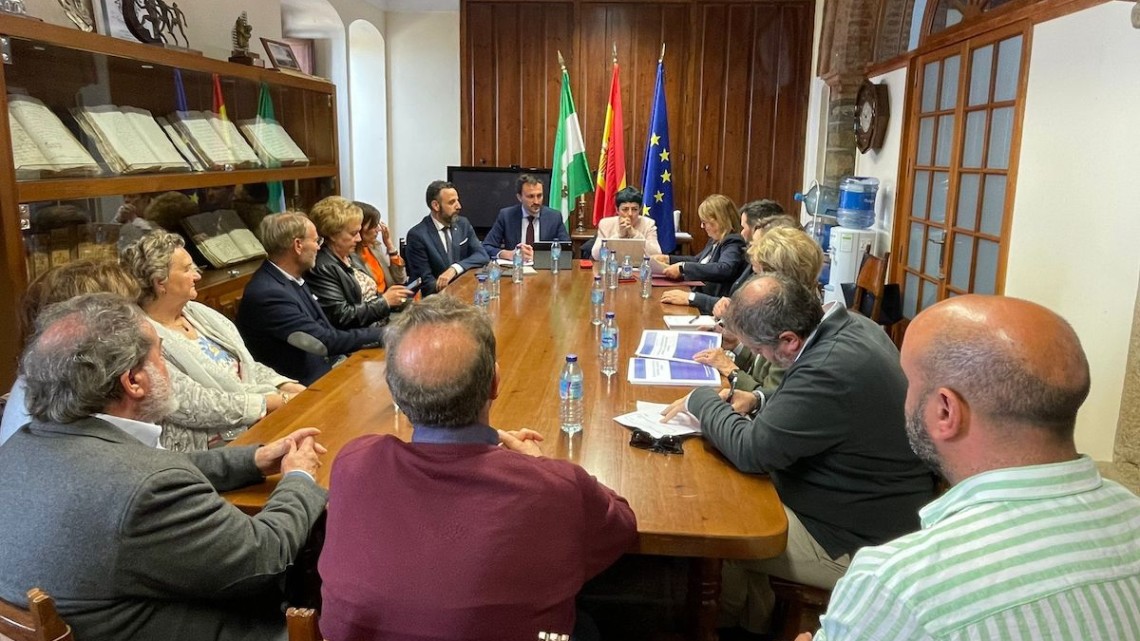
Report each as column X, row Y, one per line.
column 525, row 223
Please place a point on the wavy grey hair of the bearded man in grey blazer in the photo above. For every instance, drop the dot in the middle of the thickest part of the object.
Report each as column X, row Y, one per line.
column 80, row 350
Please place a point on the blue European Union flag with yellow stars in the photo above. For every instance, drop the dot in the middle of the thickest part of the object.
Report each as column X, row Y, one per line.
column 657, row 180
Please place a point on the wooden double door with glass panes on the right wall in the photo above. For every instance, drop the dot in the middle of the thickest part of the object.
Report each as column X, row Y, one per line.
column 962, row 159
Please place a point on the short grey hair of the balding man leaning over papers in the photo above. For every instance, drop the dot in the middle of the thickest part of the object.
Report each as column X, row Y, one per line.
column 788, row 307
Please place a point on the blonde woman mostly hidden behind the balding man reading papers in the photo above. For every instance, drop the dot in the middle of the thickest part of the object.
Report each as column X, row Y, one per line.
column 786, row 251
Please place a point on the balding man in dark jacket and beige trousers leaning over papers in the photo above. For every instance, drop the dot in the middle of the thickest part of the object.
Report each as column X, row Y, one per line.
column 830, row 436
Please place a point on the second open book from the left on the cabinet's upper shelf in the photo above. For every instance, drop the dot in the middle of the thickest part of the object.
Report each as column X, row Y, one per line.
column 129, row 140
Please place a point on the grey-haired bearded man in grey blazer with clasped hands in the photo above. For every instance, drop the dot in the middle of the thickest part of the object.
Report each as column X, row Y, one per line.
column 132, row 541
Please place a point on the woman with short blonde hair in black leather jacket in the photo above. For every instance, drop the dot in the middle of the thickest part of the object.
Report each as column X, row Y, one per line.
column 343, row 283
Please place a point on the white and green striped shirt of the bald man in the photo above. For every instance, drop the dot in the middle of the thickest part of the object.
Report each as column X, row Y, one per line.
column 1044, row 553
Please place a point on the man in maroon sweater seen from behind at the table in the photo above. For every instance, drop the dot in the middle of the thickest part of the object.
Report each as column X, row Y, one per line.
column 467, row 533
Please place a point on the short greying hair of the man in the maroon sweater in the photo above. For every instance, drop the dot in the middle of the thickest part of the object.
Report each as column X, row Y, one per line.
column 443, row 392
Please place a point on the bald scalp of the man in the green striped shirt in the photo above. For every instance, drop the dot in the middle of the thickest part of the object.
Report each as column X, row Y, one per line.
column 1015, row 363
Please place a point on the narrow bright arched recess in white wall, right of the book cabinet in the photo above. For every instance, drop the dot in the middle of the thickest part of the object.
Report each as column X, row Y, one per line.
column 369, row 102
